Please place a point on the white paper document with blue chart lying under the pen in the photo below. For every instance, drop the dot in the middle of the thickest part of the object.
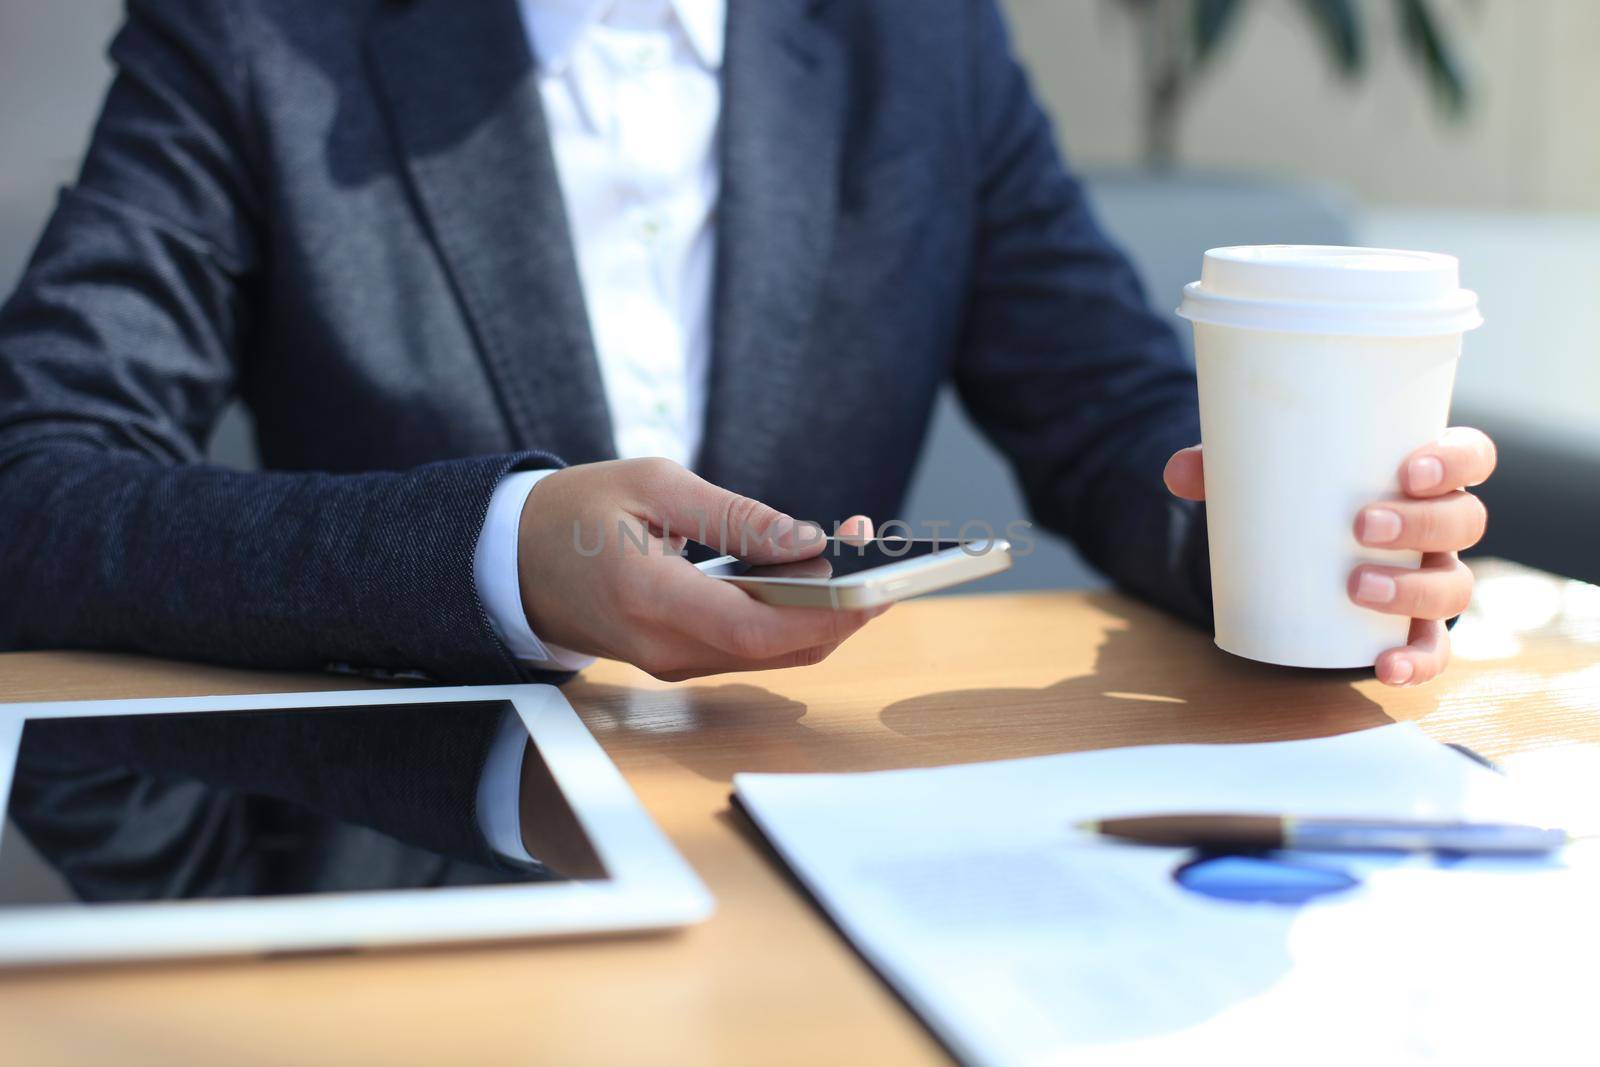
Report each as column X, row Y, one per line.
column 1022, row 941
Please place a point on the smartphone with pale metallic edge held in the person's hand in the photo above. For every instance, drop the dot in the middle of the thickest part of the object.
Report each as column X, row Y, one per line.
column 849, row 577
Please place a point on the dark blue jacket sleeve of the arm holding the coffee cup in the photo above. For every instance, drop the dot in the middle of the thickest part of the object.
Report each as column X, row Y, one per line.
column 1063, row 364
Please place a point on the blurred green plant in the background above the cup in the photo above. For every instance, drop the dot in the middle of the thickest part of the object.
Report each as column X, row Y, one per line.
column 1180, row 38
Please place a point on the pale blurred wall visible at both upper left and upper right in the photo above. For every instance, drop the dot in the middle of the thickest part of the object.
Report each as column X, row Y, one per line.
column 1273, row 105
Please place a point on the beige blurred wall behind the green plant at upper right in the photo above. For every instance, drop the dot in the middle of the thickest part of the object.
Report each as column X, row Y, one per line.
column 1273, row 102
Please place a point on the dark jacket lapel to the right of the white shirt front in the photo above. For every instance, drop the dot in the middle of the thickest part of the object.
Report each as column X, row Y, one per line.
column 783, row 126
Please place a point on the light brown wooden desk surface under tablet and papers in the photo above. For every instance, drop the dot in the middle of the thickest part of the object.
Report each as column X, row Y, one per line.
column 767, row 980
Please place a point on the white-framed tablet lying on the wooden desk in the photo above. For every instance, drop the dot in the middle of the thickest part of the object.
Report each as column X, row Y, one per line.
column 311, row 821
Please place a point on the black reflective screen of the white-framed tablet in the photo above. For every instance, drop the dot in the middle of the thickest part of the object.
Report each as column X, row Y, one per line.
column 273, row 802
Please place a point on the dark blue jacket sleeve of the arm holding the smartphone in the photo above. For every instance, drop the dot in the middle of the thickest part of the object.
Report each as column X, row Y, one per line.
column 118, row 354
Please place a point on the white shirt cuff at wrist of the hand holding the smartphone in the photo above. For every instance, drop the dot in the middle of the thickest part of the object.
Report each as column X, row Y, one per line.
column 495, row 573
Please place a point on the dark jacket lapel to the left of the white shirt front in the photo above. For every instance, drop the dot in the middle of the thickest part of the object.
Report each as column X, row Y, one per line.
column 465, row 103
